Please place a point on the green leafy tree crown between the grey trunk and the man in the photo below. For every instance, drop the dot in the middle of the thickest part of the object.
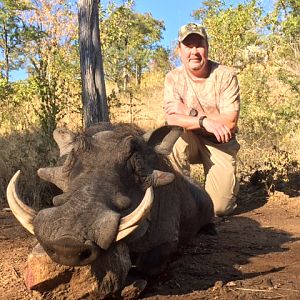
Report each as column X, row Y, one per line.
column 128, row 42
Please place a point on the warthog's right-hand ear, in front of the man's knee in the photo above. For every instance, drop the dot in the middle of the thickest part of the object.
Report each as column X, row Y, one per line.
column 163, row 138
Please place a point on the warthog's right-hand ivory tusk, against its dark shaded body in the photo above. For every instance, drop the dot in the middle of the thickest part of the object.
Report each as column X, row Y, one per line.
column 129, row 222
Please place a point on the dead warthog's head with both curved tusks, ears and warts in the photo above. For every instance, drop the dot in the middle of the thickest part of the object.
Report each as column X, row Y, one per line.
column 107, row 181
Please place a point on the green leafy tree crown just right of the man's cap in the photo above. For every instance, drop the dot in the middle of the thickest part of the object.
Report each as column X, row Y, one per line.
column 231, row 29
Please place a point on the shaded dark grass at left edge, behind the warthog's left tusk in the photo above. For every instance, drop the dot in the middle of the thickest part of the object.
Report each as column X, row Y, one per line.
column 26, row 151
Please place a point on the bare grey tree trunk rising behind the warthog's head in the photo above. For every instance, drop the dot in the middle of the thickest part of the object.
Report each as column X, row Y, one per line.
column 93, row 85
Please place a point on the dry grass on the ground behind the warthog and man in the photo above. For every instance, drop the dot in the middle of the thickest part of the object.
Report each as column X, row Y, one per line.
column 24, row 147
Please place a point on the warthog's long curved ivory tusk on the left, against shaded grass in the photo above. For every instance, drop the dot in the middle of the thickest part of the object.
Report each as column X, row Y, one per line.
column 21, row 211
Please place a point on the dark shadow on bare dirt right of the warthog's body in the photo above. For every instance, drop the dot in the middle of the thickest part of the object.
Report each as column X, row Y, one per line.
column 210, row 259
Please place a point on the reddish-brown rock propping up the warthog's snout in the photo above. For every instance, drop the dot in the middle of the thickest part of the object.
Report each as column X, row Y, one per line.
column 105, row 277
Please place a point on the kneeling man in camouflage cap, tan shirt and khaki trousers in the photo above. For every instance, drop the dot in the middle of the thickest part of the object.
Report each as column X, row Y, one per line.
column 203, row 97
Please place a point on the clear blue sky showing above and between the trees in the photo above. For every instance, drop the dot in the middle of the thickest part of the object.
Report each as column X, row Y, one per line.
column 174, row 13
